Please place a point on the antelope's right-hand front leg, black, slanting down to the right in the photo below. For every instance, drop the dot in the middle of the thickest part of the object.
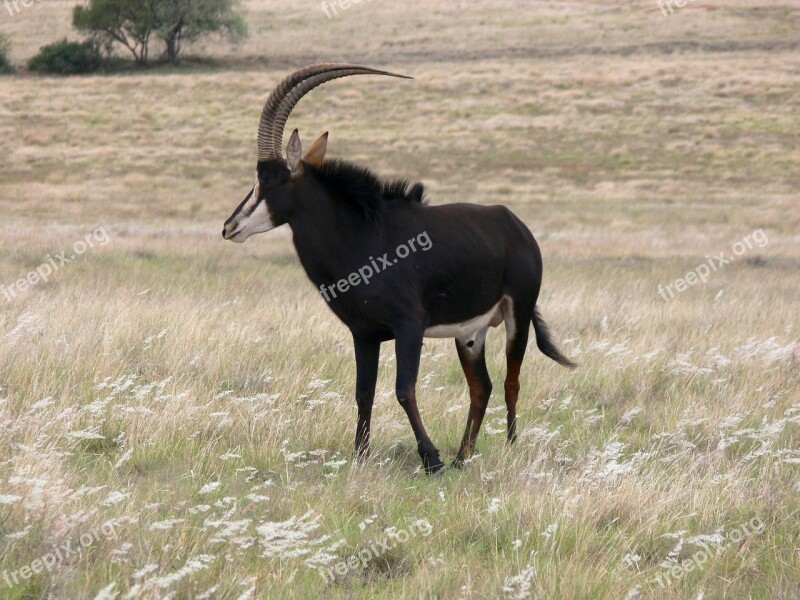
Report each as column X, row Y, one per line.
column 408, row 347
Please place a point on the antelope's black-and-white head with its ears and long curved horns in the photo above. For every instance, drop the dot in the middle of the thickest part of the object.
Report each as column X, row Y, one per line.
column 274, row 196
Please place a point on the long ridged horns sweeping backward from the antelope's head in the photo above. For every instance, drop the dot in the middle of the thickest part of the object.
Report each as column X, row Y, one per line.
column 288, row 93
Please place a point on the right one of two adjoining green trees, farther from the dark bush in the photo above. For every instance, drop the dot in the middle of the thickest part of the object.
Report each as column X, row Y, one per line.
column 184, row 21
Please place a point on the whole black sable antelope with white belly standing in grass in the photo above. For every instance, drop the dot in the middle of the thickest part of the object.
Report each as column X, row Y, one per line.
column 481, row 266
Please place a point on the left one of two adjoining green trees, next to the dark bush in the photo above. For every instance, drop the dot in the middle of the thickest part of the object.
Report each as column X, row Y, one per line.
column 128, row 22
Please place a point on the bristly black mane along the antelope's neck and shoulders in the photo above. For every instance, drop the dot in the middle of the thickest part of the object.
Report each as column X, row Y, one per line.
column 361, row 188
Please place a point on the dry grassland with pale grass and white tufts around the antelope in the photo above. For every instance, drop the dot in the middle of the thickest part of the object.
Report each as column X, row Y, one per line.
column 196, row 396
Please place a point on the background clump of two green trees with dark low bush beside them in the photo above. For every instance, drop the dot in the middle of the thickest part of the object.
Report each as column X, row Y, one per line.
column 134, row 25
